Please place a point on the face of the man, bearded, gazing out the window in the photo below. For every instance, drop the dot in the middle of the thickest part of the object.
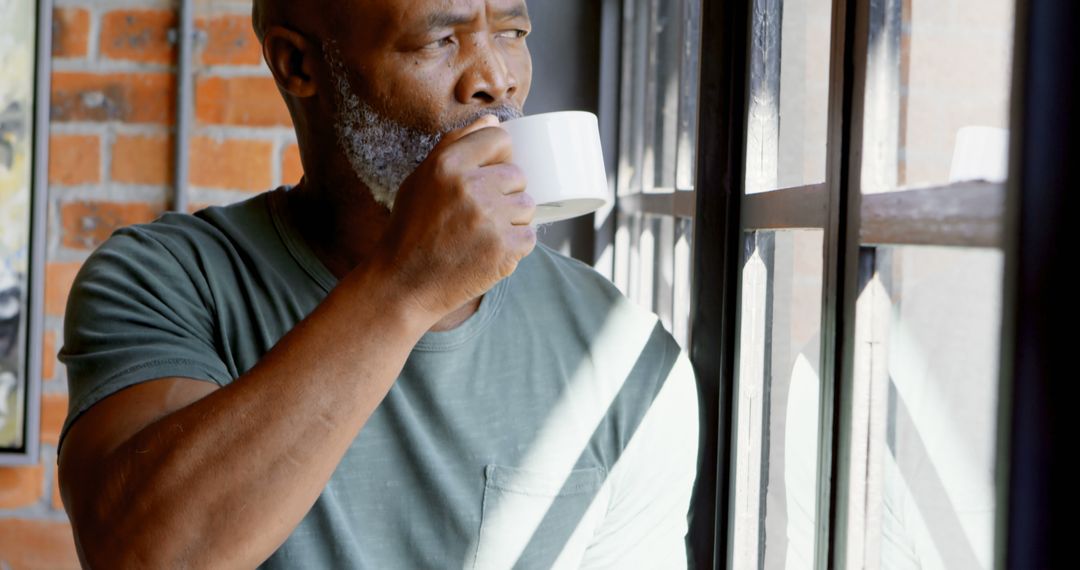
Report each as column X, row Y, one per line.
column 412, row 71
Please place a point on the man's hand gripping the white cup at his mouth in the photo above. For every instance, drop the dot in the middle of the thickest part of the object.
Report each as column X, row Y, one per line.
column 462, row 222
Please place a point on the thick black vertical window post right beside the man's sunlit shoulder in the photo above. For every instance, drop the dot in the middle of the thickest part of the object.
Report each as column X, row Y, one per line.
column 722, row 140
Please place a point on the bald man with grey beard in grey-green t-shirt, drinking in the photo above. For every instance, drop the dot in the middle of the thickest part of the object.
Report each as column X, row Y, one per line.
column 376, row 369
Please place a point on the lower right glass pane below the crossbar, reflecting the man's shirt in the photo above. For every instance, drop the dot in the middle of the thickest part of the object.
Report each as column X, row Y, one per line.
column 926, row 410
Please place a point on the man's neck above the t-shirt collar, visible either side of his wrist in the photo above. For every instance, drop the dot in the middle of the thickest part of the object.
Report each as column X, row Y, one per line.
column 344, row 229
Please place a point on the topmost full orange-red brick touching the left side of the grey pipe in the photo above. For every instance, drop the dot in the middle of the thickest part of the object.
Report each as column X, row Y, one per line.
column 139, row 36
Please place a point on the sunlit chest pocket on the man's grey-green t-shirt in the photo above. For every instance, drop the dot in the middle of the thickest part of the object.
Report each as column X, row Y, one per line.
column 538, row 520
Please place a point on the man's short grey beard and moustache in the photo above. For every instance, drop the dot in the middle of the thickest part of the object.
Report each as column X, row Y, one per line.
column 382, row 152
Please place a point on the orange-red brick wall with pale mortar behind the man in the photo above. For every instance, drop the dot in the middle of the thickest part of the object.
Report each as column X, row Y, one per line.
column 112, row 165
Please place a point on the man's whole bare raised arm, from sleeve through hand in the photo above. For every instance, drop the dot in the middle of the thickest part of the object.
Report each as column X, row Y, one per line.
column 173, row 473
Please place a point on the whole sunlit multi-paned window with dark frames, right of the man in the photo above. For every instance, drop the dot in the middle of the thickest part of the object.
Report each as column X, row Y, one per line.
column 814, row 198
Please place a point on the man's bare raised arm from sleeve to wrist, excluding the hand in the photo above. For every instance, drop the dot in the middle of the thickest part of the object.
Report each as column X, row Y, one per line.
column 222, row 481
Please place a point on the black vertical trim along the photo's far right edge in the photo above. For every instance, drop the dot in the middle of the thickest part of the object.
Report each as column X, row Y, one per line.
column 1038, row 365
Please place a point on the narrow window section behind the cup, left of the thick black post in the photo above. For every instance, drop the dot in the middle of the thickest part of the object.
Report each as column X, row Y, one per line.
column 655, row 173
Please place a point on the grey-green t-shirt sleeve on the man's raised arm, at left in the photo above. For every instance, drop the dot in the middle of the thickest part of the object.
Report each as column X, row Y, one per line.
column 139, row 311
